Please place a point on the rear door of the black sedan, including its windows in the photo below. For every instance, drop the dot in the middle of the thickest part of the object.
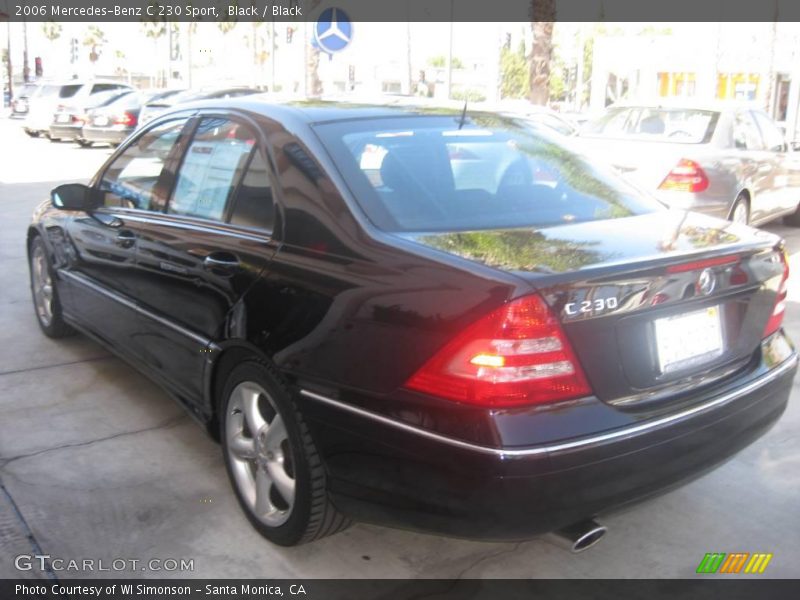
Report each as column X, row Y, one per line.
column 197, row 259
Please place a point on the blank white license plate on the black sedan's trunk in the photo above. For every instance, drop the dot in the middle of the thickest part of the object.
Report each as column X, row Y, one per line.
column 689, row 339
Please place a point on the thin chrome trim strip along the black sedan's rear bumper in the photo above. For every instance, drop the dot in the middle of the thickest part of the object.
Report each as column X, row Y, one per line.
column 619, row 434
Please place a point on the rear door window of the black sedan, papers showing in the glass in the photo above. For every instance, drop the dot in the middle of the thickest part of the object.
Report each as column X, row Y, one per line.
column 211, row 168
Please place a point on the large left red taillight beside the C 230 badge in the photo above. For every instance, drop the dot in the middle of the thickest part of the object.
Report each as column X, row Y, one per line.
column 516, row 355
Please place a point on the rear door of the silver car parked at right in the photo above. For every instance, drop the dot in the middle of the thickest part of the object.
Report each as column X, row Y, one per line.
column 756, row 166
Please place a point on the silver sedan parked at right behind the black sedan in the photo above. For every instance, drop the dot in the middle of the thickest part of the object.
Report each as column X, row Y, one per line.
column 729, row 161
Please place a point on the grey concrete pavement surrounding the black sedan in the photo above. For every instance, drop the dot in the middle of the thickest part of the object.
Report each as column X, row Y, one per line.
column 96, row 462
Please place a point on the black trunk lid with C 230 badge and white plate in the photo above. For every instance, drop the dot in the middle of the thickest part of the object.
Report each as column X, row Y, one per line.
column 653, row 304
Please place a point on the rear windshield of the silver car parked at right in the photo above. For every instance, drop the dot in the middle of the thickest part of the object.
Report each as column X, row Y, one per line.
column 681, row 125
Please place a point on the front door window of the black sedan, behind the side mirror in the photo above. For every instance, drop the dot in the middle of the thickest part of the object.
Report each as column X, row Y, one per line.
column 132, row 180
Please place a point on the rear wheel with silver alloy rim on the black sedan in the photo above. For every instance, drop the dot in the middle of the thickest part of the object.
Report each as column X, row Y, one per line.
column 272, row 462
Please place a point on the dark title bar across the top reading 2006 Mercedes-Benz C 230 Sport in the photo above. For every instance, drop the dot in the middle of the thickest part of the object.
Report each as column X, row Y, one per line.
column 402, row 11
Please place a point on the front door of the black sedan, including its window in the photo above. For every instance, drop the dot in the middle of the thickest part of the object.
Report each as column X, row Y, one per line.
column 102, row 244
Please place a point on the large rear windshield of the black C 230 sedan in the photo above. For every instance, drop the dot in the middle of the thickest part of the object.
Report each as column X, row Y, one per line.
column 428, row 174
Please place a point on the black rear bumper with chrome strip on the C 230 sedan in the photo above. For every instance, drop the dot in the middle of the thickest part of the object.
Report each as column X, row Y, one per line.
column 396, row 476
